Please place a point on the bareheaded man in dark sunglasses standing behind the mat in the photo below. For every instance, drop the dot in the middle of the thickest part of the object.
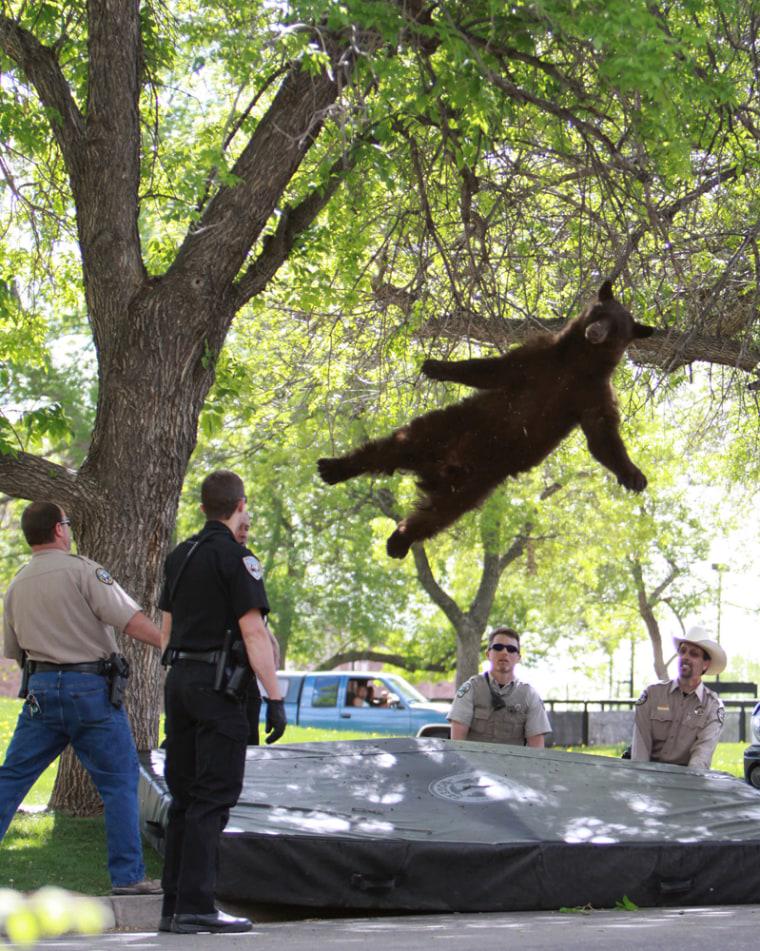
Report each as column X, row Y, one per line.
column 496, row 707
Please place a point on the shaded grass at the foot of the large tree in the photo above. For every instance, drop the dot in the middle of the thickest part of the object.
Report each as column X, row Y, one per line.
column 45, row 848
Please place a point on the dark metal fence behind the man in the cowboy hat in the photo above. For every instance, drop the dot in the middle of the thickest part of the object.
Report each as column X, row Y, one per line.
column 606, row 722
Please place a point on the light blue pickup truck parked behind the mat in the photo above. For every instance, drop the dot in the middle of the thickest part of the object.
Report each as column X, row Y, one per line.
column 362, row 701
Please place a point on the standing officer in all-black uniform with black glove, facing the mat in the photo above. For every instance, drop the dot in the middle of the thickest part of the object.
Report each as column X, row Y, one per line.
column 212, row 586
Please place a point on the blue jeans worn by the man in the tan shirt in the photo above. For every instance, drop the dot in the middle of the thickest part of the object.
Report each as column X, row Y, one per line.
column 73, row 708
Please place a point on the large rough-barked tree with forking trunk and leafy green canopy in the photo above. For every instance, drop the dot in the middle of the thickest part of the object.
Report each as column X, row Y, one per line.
column 165, row 162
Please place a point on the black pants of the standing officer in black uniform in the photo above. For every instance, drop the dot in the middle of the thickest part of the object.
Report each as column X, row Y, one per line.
column 206, row 735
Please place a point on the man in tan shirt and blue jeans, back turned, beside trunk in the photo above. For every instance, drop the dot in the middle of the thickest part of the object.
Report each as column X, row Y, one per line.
column 60, row 610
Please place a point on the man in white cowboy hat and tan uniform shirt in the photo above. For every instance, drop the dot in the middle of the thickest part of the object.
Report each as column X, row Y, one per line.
column 679, row 721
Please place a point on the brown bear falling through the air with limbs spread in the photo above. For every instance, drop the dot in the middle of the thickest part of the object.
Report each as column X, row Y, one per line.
column 532, row 398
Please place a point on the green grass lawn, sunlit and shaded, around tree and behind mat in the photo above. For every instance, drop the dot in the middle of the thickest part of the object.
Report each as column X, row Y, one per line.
column 44, row 848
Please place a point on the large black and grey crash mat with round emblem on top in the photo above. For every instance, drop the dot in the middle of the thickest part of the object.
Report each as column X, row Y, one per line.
column 438, row 825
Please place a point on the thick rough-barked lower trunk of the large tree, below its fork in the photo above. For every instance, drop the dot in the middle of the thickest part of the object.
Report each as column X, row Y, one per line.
column 127, row 495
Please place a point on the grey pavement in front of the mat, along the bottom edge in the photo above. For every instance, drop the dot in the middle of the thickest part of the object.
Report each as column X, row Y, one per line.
column 697, row 929
